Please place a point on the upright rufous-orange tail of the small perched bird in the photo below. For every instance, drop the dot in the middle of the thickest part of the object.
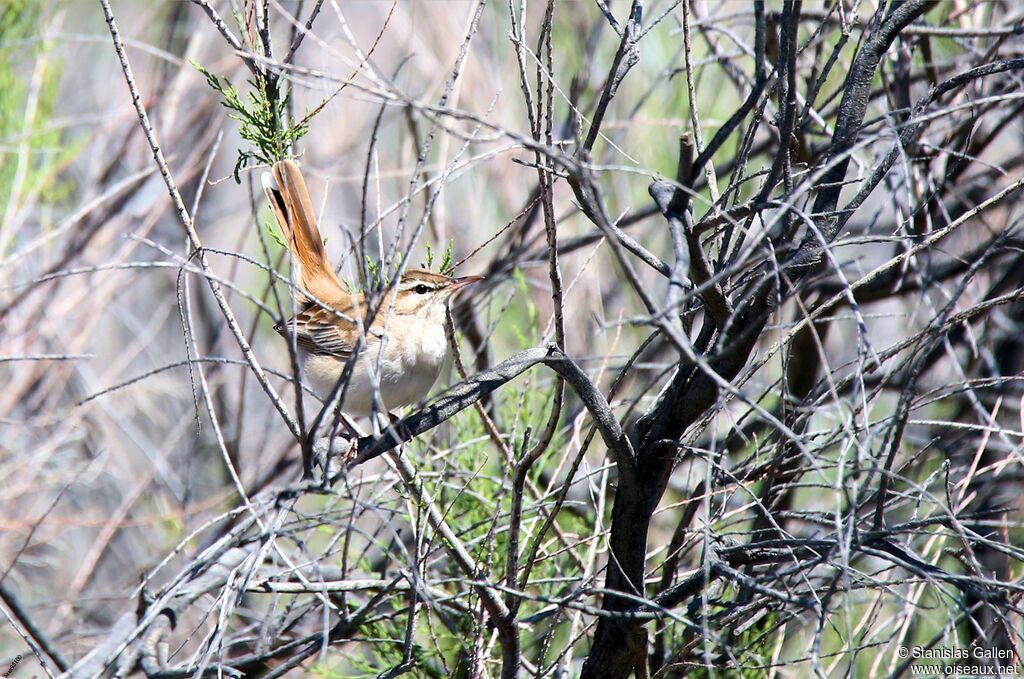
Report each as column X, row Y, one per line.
column 291, row 205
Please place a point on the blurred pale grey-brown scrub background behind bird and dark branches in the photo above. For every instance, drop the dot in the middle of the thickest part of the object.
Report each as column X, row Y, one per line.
column 114, row 480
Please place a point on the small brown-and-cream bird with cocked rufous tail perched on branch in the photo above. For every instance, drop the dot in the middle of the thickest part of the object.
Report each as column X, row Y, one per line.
column 405, row 347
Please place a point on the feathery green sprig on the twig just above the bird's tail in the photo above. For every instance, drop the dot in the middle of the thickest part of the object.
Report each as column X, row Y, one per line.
column 263, row 116
